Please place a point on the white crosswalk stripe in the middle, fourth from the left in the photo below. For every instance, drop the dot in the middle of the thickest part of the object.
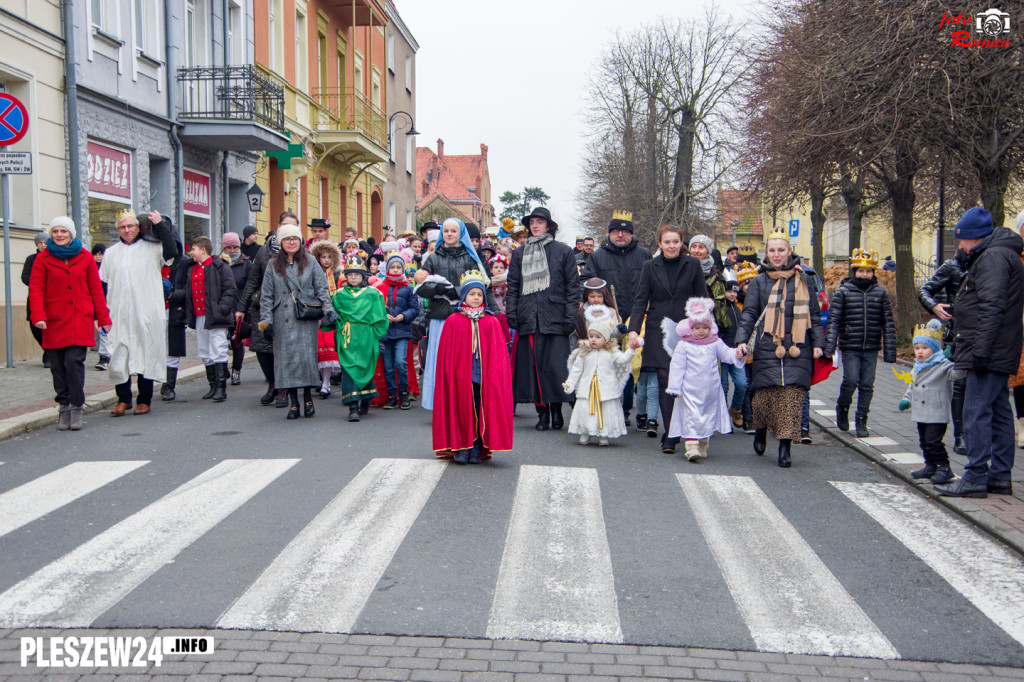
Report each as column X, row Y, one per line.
column 556, row 580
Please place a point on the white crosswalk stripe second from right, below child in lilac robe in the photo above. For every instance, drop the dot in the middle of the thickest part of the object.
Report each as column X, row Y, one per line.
column 791, row 602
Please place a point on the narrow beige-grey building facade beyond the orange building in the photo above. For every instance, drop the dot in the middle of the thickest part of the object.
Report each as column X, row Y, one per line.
column 401, row 189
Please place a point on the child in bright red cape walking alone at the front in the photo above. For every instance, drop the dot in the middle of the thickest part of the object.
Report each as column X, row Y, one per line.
column 474, row 392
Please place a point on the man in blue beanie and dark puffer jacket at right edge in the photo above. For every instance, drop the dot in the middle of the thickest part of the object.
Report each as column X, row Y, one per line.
column 990, row 336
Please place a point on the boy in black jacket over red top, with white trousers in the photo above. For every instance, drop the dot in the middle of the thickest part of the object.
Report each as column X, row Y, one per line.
column 210, row 299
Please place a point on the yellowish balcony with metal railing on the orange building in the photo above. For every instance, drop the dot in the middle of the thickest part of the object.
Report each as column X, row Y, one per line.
column 350, row 124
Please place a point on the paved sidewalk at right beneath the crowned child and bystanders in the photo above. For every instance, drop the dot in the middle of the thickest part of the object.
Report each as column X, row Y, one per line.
column 893, row 444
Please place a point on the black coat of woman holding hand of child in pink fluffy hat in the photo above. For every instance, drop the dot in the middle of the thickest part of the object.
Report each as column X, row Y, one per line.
column 657, row 301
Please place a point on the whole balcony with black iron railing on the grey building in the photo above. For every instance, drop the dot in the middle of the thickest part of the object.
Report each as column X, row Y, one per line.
column 233, row 109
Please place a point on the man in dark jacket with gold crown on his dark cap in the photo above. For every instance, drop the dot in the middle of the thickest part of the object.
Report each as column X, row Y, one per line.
column 619, row 263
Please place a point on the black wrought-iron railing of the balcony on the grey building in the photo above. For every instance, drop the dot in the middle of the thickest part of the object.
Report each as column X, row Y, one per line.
column 232, row 94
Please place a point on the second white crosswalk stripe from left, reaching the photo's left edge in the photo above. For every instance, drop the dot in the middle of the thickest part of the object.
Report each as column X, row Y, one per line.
column 77, row 588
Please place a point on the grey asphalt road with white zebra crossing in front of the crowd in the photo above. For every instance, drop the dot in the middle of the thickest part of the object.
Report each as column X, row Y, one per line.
column 230, row 516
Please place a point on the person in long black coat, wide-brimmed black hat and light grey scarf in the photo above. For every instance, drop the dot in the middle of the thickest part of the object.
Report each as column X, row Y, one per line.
column 541, row 304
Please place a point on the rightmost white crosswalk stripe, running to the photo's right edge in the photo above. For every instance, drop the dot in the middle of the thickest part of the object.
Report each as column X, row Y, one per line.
column 991, row 576
